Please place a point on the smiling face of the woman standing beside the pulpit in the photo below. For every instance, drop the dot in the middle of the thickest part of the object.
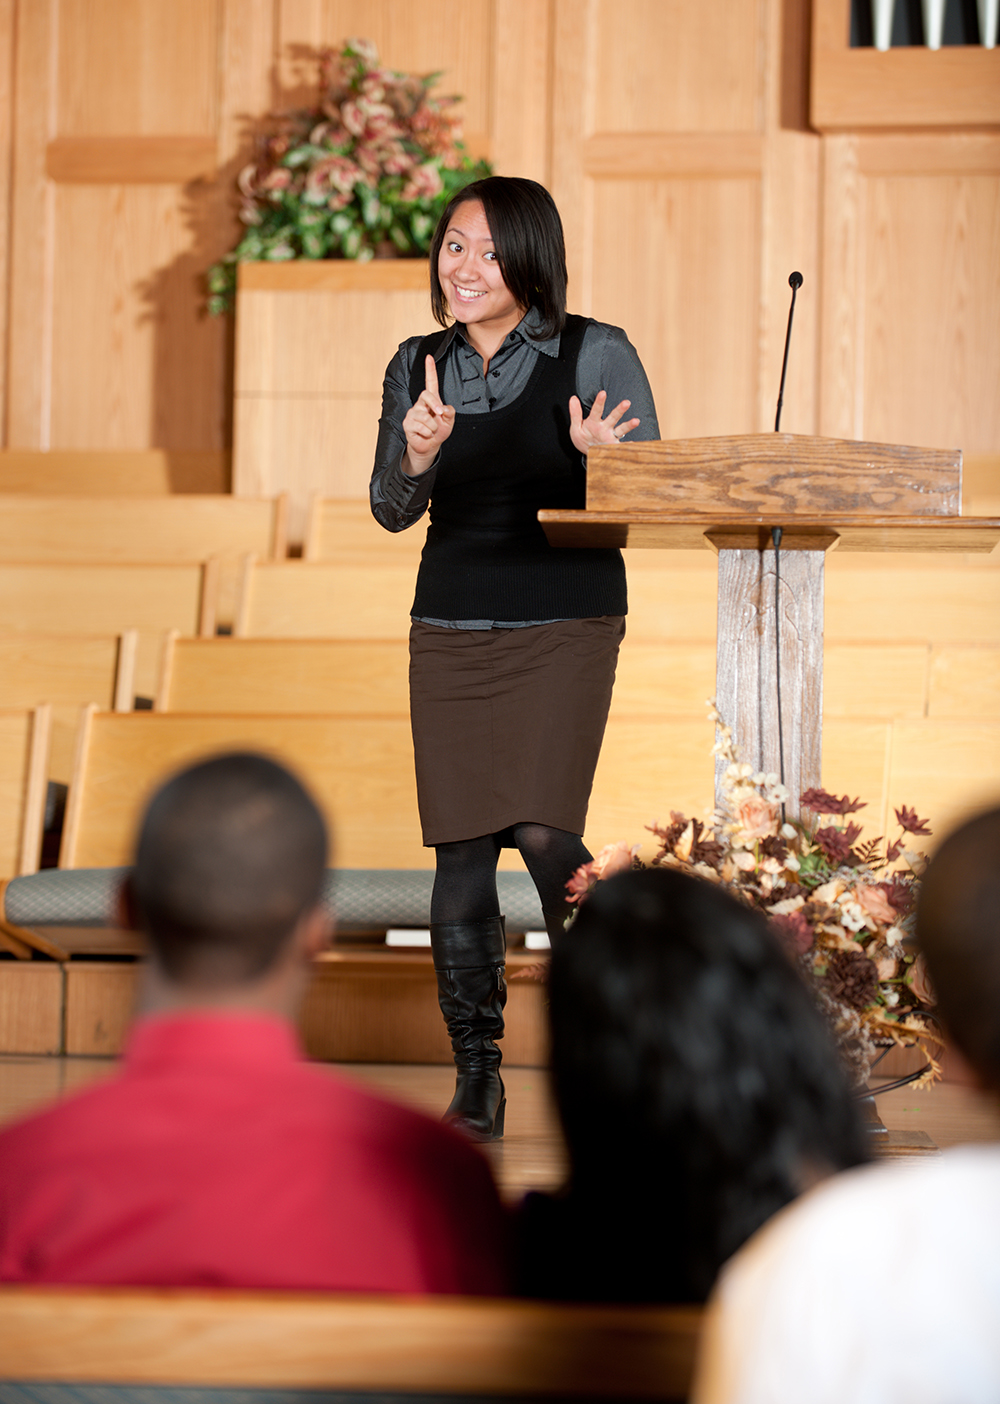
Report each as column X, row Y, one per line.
column 473, row 283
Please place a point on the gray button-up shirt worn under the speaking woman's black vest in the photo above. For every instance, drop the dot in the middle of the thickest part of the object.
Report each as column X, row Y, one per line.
column 607, row 362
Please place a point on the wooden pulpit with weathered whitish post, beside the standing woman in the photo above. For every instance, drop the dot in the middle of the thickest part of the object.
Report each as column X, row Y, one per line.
column 728, row 495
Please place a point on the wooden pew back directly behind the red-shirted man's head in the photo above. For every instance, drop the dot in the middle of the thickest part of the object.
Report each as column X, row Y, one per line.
column 360, row 770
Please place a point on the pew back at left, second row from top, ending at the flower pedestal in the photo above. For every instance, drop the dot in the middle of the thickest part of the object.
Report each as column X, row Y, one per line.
column 145, row 530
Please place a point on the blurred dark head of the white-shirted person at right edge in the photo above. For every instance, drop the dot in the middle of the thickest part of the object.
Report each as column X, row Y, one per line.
column 959, row 930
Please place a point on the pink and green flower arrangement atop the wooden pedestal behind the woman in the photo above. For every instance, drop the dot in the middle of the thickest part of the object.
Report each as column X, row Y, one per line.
column 364, row 173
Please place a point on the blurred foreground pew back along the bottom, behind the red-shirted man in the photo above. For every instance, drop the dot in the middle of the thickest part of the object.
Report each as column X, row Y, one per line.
column 391, row 1347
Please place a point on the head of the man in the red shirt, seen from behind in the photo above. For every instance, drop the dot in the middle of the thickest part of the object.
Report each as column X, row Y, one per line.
column 231, row 856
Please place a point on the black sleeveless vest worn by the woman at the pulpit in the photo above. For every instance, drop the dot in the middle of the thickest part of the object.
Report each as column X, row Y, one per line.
column 487, row 557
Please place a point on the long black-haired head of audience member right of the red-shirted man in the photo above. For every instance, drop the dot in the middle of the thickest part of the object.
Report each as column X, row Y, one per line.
column 695, row 1076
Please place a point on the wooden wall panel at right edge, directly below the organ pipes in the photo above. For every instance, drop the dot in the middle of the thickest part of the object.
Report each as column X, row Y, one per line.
column 911, row 335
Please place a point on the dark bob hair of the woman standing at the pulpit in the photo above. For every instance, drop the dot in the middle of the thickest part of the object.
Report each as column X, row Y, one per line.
column 529, row 239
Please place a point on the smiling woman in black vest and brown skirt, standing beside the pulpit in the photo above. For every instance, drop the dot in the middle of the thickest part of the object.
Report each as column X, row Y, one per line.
column 513, row 642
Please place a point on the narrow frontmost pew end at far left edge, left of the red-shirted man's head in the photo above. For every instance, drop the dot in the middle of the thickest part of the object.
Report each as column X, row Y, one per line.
column 25, row 752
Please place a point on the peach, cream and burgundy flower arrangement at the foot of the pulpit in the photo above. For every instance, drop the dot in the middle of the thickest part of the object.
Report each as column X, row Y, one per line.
column 843, row 909
